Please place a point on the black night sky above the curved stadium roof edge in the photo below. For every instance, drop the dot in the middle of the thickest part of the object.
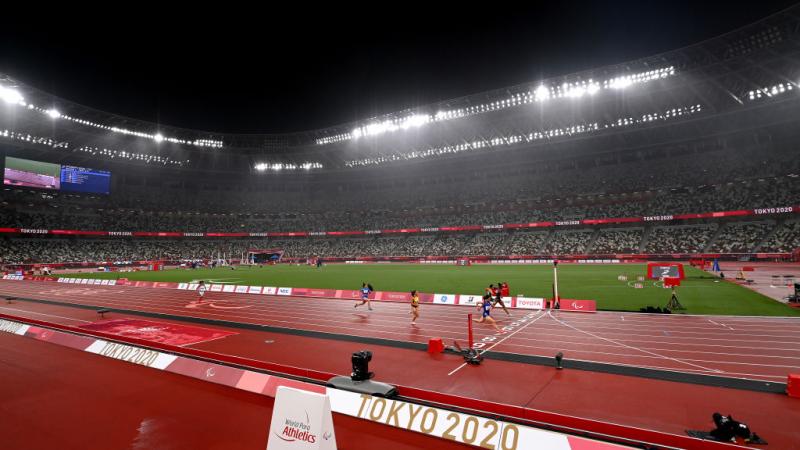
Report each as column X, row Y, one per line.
column 309, row 66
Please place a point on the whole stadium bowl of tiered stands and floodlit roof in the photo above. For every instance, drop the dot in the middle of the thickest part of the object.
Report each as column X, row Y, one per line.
column 689, row 152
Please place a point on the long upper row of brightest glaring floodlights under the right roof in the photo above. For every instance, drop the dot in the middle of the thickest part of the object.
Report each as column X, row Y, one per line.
column 541, row 93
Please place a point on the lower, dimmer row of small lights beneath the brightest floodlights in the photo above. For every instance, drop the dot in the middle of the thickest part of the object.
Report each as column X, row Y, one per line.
column 530, row 137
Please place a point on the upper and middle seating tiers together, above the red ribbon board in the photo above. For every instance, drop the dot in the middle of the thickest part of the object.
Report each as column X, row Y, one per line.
column 696, row 184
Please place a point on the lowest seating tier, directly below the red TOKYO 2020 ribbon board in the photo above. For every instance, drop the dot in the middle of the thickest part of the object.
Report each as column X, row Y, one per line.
column 661, row 239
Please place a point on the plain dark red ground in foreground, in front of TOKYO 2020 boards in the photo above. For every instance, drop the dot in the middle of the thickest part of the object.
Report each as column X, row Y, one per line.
column 56, row 397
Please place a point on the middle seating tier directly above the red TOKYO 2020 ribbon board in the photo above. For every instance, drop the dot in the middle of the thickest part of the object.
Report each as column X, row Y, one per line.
column 54, row 214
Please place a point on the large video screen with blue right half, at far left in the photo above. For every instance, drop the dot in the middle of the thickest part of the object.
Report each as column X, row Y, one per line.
column 42, row 175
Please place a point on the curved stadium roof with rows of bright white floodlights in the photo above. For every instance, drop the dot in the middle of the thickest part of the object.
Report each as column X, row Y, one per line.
column 735, row 70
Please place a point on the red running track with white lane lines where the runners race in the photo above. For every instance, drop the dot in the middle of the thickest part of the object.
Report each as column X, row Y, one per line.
column 758, row 348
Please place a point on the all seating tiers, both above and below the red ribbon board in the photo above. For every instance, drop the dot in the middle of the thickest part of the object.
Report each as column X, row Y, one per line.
column 695, row 183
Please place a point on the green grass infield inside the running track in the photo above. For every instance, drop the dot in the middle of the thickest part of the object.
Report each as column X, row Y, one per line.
column 700, row 293
